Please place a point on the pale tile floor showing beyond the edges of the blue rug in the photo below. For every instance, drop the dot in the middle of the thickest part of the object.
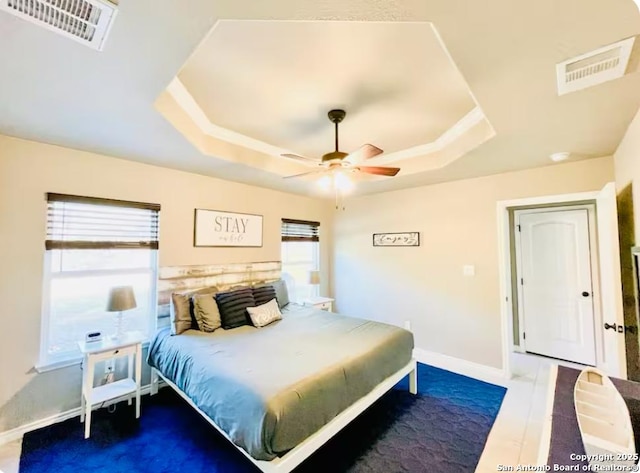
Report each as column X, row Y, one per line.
column 514, row 438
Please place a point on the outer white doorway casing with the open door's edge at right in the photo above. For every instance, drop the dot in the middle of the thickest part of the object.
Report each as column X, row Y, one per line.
column 614, row 362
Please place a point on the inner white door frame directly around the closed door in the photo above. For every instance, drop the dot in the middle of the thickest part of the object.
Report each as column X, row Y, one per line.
column 590, row 207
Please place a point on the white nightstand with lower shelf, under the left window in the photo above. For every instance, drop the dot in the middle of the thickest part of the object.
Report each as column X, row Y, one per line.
column 129, row 345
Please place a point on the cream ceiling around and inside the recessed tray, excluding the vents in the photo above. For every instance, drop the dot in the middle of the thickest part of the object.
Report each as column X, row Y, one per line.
column 57, row 91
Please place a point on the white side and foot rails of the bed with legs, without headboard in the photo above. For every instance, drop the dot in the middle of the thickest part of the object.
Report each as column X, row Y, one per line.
column 294, row 457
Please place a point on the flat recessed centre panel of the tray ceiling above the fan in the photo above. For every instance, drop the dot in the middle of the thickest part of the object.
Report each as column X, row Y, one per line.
column 275, row 81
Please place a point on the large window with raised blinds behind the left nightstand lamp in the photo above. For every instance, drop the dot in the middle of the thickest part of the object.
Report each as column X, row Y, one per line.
column 93, row 245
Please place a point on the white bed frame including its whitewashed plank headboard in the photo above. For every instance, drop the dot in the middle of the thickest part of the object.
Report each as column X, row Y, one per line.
column 192, row 277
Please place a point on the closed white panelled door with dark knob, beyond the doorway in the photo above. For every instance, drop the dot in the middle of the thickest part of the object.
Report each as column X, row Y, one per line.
column 556, row 295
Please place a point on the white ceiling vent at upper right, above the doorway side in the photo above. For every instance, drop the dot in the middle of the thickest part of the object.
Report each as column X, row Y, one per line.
column 602, row 65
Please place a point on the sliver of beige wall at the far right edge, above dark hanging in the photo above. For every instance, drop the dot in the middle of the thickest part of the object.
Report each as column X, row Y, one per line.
column 627, row 167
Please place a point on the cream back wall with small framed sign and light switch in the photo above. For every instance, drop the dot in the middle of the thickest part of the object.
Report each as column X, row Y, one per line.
column 450, row 314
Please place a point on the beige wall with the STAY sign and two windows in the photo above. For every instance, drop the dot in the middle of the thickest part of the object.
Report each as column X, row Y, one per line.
column 28, row 170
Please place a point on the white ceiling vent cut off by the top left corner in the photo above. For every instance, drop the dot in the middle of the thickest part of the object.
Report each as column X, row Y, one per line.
column 86, row 21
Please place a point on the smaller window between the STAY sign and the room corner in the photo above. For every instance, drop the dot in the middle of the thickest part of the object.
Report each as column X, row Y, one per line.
column 300, row 255
